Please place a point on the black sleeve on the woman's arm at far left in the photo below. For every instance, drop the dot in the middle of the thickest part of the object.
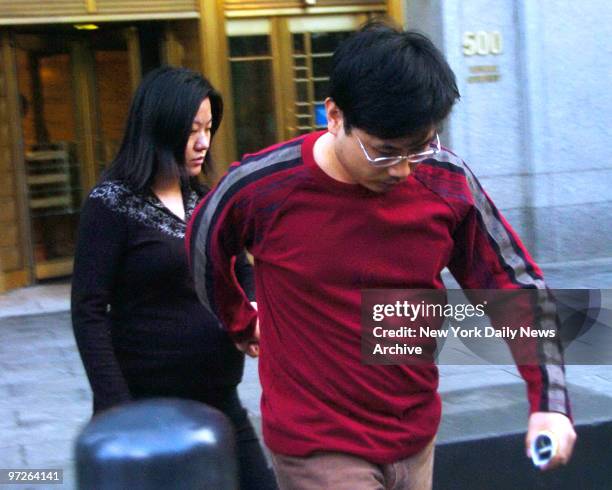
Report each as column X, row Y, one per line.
column 100, row 247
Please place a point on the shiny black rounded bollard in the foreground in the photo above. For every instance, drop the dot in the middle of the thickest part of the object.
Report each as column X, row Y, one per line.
column 160, row 443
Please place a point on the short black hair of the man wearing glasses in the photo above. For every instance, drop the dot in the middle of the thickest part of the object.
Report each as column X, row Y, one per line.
column 391, row 83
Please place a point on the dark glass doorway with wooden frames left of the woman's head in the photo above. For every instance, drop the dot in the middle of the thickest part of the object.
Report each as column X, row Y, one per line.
column 74, row 91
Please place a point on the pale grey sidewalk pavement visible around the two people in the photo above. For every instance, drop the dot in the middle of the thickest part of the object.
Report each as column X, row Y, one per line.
column 45, row 399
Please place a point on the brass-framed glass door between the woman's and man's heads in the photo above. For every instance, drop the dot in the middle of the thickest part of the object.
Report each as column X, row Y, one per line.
column 280, row 72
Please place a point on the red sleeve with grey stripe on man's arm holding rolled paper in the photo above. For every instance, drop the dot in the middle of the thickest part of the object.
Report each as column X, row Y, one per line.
column 489, row 255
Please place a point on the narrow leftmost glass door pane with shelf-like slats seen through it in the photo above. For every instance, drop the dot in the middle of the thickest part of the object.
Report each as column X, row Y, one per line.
column 52, row 167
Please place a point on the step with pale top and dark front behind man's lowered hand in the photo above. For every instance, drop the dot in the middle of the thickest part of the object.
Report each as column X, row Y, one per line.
column 483, row 447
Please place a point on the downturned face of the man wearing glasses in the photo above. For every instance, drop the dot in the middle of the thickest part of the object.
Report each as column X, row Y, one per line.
column 352, row 162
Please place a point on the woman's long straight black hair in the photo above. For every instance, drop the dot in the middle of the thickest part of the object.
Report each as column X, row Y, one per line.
column 158, row 127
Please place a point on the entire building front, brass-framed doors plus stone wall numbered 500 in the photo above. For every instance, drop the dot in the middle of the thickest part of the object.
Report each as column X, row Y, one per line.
column 532, row 121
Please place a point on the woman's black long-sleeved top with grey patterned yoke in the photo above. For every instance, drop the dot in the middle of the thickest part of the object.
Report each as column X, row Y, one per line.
column 139, row 326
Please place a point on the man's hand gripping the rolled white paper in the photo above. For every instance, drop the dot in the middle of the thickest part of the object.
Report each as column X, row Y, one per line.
column 561, row 427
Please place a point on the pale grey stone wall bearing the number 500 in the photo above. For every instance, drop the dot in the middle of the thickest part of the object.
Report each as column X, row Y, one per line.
column 533, row 121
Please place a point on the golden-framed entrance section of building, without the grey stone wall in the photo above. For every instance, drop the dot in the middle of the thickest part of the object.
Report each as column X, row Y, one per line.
column 68, row 69
